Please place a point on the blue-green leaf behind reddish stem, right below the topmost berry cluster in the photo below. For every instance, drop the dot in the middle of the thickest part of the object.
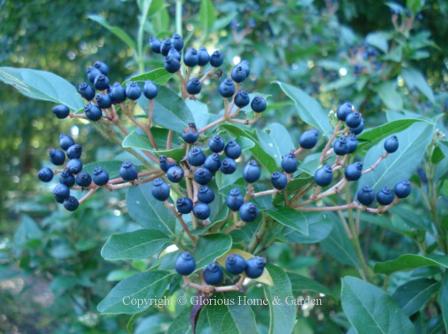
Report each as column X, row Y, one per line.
column 170, row 111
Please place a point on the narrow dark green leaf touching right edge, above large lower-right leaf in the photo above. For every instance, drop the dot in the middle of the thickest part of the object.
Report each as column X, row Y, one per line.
column 411, row 261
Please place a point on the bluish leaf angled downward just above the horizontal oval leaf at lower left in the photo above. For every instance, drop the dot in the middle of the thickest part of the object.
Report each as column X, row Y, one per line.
column 148, row 212
